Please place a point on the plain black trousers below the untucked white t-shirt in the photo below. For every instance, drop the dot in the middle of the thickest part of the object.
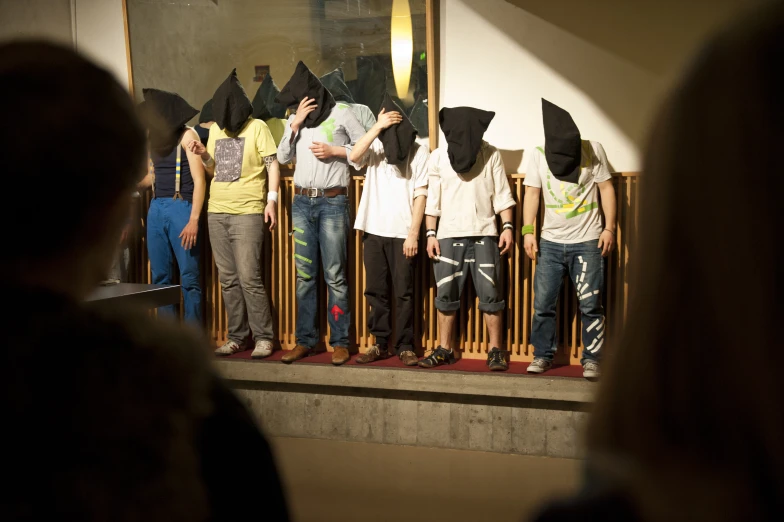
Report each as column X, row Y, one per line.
column 384, row 257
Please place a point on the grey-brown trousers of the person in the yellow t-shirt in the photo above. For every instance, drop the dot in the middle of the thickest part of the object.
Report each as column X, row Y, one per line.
column 236, row 246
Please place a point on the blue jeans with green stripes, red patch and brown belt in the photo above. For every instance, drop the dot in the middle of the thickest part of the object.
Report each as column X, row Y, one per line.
column 321, row 226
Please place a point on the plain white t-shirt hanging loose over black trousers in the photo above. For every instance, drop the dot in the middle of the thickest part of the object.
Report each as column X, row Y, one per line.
column 387, row 205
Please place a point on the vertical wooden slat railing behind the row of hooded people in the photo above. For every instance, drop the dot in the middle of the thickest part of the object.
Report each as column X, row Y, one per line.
column 280, row 277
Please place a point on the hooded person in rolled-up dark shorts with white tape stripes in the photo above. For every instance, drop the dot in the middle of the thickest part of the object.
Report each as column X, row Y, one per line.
column 467, row 189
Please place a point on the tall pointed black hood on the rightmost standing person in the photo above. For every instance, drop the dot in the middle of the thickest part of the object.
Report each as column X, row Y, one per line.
column 562, row 143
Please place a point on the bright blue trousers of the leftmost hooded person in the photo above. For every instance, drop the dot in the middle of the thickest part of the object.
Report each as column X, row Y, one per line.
column 165, row 221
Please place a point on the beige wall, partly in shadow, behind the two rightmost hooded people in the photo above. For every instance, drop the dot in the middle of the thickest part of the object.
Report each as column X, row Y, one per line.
column 607, row 62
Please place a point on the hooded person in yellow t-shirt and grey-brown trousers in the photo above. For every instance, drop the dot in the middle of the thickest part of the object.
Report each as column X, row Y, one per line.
column 242, row 157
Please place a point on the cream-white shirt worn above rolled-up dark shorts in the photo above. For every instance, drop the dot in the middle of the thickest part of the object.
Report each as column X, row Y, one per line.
column 468, row 203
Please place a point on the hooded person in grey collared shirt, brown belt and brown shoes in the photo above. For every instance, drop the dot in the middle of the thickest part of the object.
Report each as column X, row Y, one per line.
column 319, row 136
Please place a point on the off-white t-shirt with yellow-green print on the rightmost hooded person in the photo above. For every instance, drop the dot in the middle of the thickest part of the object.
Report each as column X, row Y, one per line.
column 572, row 213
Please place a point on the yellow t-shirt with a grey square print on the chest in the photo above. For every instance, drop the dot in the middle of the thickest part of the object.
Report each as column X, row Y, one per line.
column 240, row 176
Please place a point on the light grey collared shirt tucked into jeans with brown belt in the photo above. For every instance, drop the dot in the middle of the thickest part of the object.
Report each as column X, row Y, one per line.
column 341, row 129
